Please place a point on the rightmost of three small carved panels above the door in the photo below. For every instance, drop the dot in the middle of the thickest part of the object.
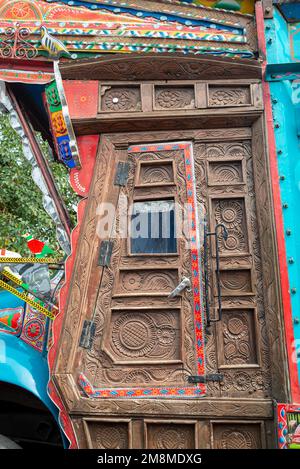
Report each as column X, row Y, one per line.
column 219, row 97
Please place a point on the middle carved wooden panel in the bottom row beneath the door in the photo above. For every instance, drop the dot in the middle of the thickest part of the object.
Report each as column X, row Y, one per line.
column 170, row 436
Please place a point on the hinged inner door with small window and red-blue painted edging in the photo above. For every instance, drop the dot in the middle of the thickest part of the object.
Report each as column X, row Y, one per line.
column 145, row 343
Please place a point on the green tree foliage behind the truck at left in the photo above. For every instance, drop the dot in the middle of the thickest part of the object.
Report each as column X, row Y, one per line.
column 21, row 208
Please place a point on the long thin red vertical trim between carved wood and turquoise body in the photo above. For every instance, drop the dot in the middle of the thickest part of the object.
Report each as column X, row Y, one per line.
column 289, row 330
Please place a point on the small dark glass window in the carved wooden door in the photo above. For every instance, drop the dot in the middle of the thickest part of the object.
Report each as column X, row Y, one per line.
column 153, row 227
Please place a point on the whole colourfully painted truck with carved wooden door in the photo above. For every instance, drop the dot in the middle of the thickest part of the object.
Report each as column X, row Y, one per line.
column 168, row 322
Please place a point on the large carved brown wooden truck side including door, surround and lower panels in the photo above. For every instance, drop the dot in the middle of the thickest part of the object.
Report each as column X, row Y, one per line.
column 130, row 354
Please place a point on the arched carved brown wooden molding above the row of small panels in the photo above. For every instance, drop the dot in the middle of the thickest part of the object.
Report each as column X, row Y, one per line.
column 159, row 67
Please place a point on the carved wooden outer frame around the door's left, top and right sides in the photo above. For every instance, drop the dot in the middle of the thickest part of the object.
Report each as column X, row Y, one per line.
column 273, row 309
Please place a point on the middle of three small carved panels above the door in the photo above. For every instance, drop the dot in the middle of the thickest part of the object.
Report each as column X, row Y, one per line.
column 174, row 97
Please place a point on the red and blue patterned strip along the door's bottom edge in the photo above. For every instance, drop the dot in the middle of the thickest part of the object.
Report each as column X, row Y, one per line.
column 146, row 393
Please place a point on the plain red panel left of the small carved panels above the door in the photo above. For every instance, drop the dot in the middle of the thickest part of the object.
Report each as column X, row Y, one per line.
column 82, row 98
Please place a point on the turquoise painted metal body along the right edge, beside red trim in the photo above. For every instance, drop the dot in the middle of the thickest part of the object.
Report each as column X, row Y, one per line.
column 285, row 95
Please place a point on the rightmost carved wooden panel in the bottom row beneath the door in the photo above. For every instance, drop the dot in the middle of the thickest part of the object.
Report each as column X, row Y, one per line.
column 237, row 436
